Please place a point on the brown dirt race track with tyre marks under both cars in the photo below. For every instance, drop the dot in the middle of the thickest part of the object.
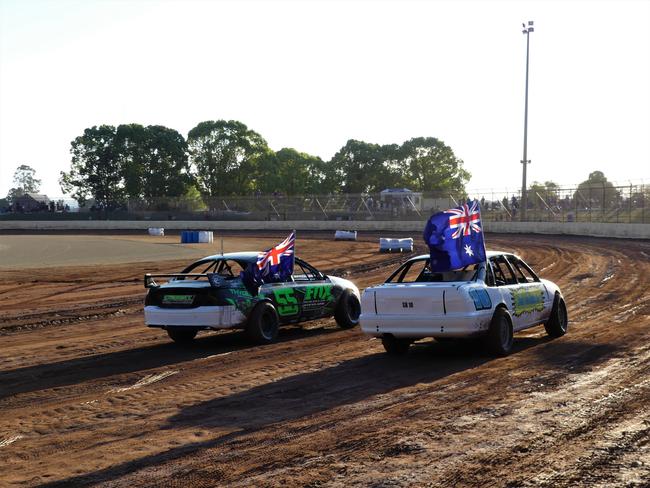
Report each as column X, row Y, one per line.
column 89, row 395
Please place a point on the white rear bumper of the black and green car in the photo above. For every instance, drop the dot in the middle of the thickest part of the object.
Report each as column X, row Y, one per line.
column 212, row 317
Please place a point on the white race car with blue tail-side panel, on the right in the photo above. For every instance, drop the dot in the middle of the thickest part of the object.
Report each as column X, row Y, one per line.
column 493, row 299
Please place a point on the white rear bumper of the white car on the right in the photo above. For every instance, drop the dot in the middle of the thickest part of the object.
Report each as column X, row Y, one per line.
column 416, row 326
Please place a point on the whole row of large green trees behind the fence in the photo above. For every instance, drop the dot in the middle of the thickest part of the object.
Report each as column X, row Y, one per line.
column 224, row 158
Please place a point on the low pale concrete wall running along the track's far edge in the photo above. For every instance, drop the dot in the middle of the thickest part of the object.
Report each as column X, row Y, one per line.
column 631, row 231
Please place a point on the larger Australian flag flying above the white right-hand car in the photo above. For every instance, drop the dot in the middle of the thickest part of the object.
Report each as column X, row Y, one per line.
column 455, row 237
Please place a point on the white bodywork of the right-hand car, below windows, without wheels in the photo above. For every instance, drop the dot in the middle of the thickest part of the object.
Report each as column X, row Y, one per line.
column 446, row 309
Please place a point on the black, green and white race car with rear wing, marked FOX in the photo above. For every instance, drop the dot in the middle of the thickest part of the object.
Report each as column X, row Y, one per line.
column 209, row 295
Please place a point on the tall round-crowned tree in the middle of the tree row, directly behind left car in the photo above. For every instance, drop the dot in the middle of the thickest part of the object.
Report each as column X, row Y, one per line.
column 224, row 155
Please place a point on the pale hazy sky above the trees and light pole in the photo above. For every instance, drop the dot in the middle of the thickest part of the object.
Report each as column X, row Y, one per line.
column 311, row 75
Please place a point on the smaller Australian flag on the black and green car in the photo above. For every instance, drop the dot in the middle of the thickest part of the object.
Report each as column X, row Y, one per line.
column 272, row 266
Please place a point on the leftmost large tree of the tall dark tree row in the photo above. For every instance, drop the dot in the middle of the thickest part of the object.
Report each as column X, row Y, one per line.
column 95, row 170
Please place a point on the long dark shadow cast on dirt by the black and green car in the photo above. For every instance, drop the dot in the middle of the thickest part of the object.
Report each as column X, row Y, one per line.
column 78, row 370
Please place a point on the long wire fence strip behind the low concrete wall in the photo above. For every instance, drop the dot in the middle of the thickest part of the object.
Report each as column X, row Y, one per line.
column 619, row 204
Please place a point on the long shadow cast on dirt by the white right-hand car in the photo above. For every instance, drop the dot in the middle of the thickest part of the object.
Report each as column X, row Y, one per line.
column 306, row 394
